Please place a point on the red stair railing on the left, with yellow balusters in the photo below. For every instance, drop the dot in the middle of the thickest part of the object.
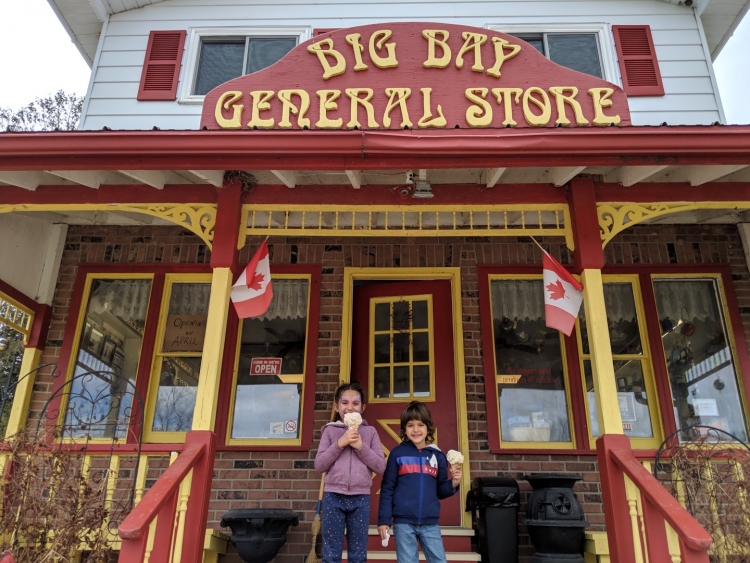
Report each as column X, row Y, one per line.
column 162, row 501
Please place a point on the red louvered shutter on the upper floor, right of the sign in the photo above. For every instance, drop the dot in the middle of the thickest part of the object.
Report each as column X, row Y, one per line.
column 637, row 57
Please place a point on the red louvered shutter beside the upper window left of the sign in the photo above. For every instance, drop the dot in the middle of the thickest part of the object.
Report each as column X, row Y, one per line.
column 161, row 69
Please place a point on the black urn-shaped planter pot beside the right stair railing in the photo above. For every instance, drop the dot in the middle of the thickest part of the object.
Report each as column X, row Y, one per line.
column 555, row 519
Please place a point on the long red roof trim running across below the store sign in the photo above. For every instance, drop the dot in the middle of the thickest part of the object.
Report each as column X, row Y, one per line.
column 373, row 150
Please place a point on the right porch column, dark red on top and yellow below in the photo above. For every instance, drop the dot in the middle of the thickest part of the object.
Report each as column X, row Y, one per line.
column 589, row 261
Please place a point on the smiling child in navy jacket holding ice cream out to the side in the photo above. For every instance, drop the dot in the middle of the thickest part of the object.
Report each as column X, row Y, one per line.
column 416, row 477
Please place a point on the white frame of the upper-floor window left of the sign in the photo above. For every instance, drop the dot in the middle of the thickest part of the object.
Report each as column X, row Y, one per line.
column 196, row 35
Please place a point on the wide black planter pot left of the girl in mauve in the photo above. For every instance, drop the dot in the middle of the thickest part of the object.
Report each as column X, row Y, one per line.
column 259, row 533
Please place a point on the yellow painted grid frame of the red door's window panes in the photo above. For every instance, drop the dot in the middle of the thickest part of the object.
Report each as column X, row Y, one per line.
column 410, row 363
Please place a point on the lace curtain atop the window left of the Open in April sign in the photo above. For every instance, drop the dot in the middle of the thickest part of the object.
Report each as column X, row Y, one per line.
column 126, row 299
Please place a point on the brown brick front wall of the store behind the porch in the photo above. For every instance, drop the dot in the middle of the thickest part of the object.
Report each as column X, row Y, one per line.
column 288, row 479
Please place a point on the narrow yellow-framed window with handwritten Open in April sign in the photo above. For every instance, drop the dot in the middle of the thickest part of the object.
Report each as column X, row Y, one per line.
column 177, row 364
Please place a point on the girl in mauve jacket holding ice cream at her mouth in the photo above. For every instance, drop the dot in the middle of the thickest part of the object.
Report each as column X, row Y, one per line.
column 348, row 456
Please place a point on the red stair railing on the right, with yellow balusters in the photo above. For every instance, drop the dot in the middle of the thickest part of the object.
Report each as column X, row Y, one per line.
column 659, row 510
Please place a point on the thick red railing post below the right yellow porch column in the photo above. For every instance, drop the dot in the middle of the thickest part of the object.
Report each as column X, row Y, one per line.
column 616, row 507
